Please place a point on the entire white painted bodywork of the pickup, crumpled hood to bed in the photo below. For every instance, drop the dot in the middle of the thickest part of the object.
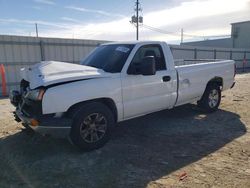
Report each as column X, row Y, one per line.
column 133, row 95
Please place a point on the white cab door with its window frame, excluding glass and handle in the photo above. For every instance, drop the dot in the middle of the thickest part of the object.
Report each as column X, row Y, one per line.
column 146, row 94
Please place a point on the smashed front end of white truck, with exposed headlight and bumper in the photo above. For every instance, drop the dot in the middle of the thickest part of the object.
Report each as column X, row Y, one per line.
column 28, row 105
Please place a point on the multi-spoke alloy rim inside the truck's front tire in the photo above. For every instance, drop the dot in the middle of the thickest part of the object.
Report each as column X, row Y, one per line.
column 93, row 127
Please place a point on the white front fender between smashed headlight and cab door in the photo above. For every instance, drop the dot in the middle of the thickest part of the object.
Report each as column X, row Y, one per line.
column 60, row 98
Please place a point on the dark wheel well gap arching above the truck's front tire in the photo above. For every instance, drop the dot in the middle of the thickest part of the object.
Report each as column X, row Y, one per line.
column 106, row 101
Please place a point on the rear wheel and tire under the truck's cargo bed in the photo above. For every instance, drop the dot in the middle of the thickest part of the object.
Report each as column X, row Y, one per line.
column 211, row 98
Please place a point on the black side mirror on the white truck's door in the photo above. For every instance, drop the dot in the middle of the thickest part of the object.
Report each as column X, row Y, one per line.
column 148, row 66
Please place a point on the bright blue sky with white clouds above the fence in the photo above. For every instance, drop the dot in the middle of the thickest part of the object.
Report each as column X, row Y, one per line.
column 109, row 19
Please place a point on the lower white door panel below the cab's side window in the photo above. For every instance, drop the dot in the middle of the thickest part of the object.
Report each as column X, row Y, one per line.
column 142, row 95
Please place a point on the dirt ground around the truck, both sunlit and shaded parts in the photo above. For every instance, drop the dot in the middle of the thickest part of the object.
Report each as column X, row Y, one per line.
column 213, row 150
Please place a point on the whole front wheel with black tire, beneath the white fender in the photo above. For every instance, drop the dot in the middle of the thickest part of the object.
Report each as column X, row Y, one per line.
column 92, row 126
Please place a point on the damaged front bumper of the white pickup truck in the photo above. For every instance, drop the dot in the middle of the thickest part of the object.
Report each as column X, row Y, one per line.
column 58, row 127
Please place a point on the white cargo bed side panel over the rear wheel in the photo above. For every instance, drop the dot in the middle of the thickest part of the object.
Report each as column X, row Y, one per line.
column 194, row 78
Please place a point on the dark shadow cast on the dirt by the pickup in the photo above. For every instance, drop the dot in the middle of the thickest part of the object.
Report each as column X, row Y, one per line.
column 141, row 150
